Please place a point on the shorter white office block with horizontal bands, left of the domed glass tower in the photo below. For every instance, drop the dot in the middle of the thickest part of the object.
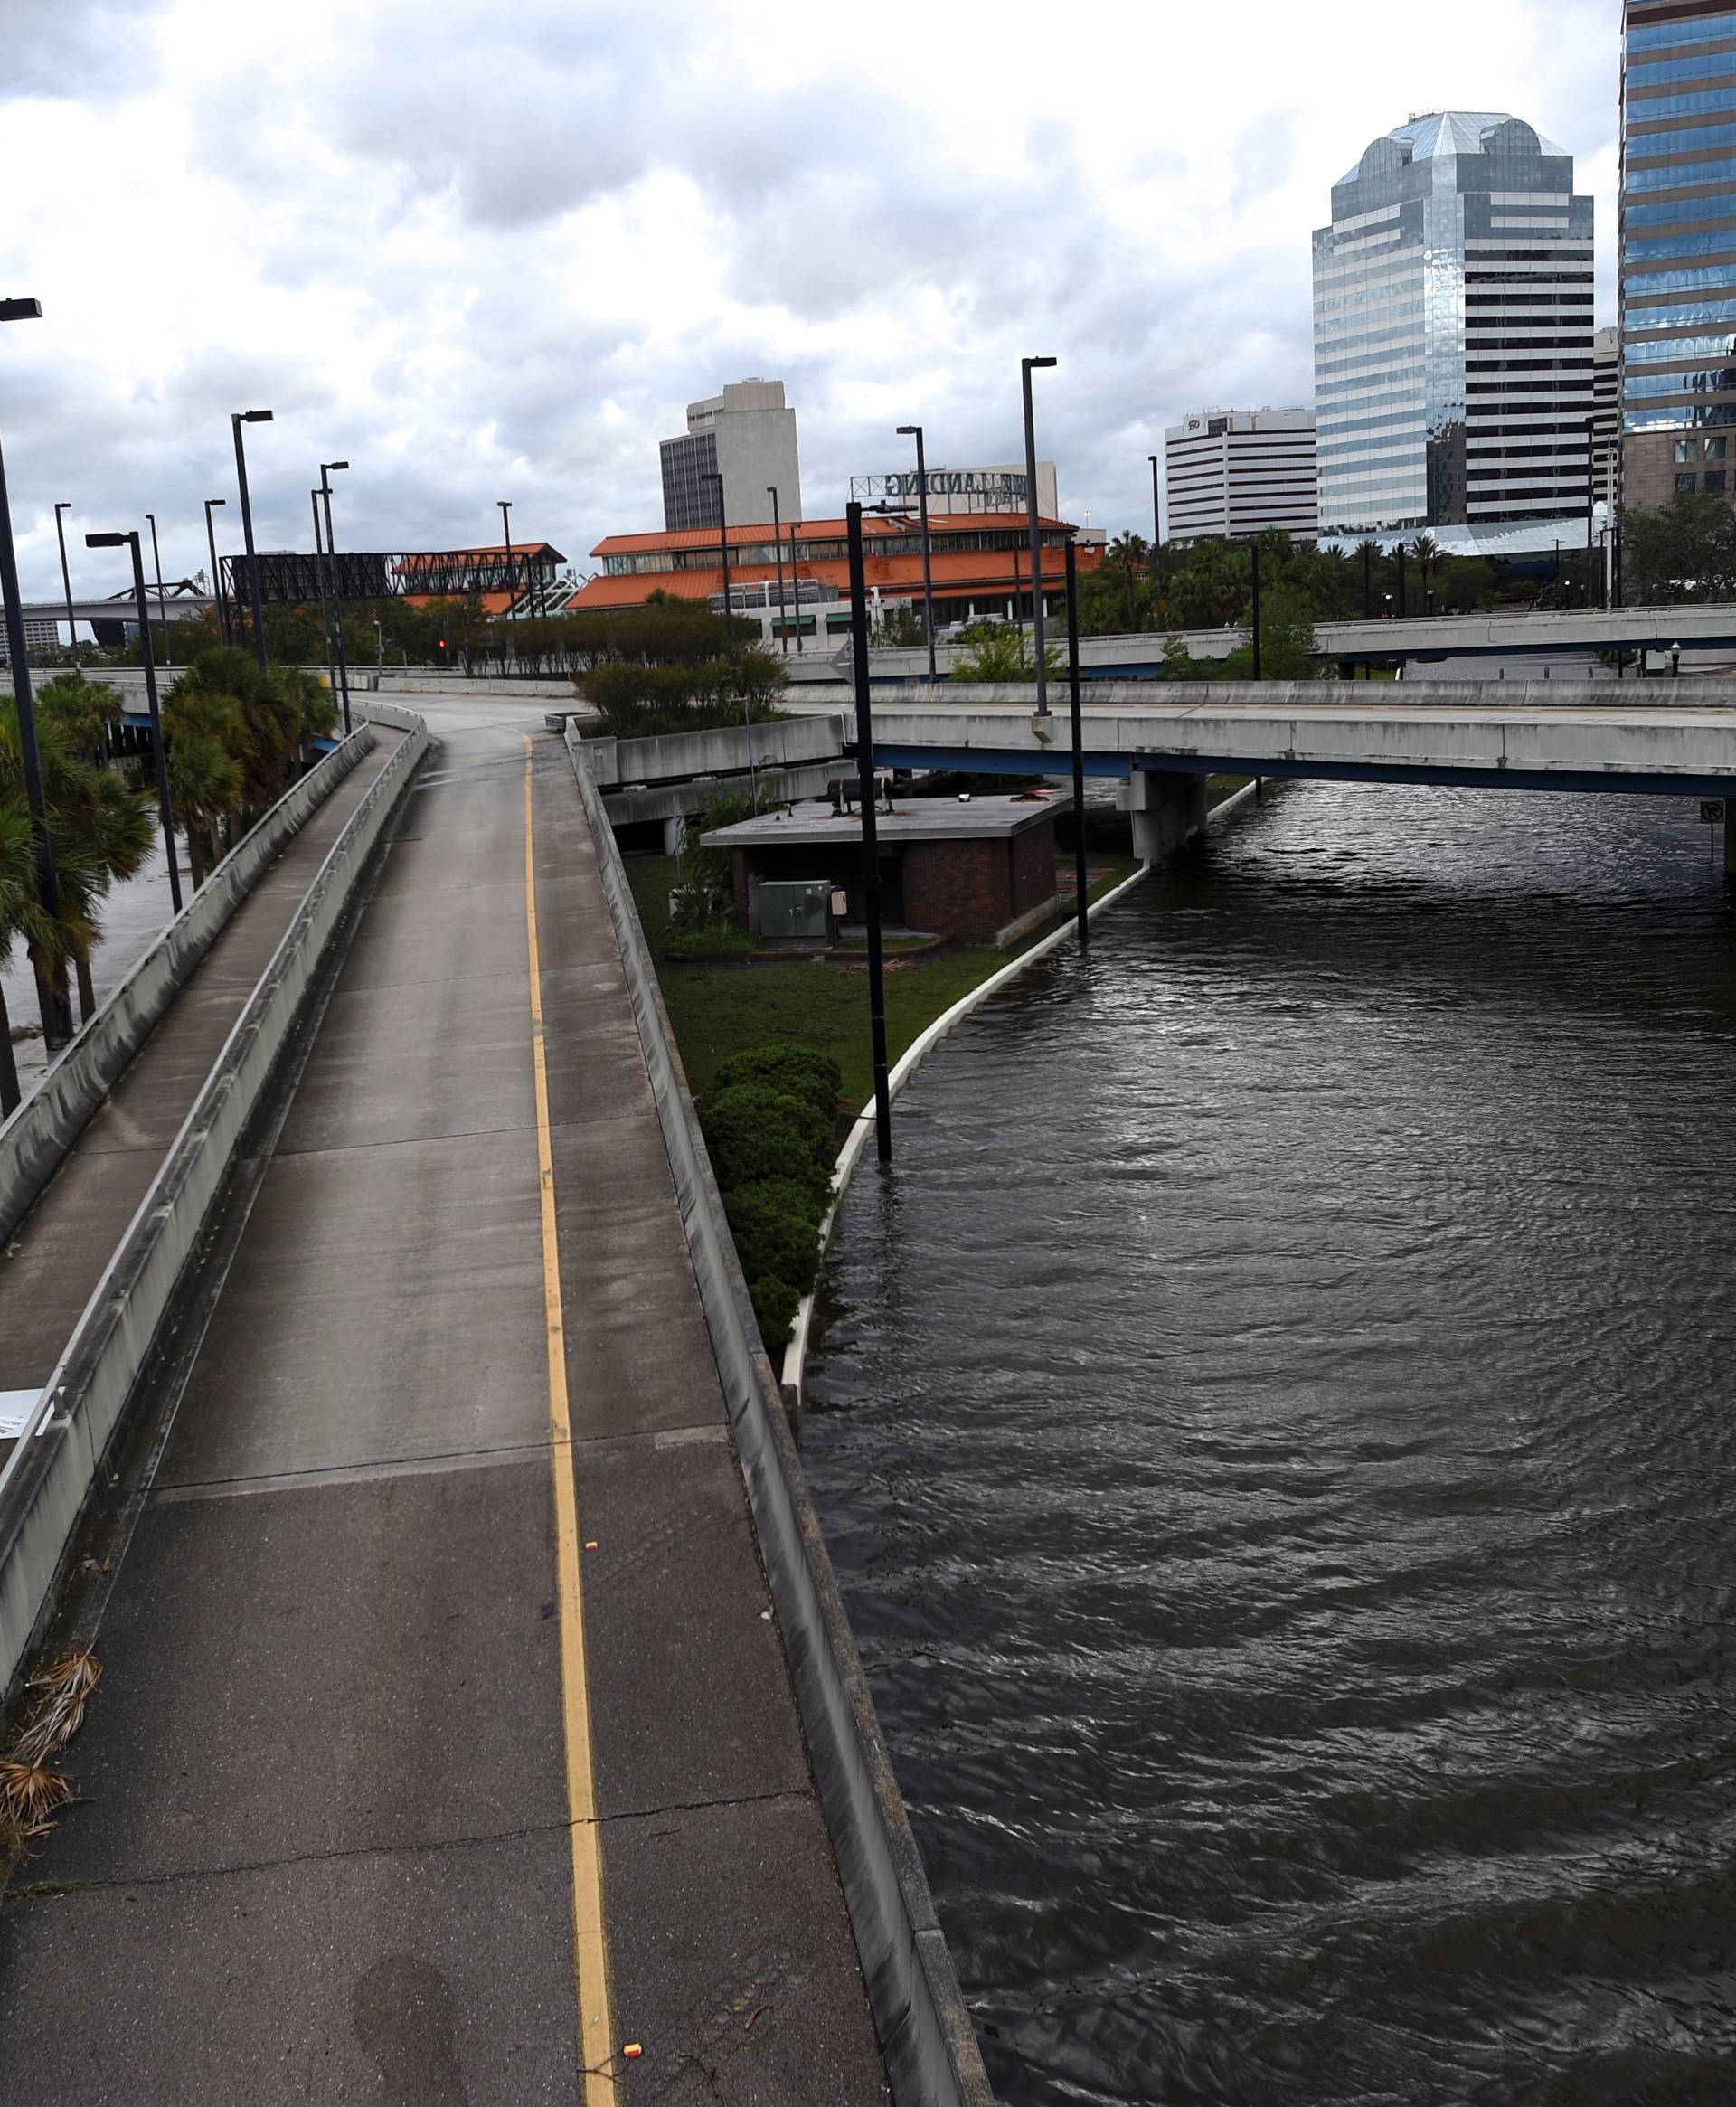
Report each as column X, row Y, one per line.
column 1236, row 471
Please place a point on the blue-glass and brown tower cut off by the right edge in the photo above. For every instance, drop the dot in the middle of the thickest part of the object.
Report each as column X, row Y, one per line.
column 1678, row 267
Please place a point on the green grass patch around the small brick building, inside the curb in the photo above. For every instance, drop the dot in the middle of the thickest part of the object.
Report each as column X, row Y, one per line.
column 722, row 1010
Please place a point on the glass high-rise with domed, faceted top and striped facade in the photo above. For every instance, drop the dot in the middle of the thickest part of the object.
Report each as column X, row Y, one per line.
column 1453, row 336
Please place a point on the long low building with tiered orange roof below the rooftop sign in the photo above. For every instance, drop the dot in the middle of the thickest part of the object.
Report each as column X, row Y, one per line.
column 981, row 568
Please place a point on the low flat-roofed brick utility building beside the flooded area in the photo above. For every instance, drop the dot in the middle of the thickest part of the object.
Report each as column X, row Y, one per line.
column 974, row 871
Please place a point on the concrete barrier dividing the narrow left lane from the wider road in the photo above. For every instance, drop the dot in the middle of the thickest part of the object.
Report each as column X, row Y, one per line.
column 50, row 1476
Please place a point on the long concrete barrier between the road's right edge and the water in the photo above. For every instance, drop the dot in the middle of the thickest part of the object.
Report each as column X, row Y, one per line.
column 920, row 2013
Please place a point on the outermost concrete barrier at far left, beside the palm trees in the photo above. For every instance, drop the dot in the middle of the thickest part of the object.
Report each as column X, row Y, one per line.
column 54, row 1116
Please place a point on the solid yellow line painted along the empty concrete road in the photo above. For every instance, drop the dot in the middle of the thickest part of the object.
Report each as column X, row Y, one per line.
column 591, row 1952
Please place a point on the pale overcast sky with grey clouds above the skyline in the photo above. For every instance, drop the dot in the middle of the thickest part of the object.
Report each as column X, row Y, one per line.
column 494, row 250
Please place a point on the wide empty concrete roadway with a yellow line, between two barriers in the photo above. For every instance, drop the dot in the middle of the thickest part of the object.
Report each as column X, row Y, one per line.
column 441, row 1752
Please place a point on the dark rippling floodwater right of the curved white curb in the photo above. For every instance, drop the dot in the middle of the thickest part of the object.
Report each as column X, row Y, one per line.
column 1278, row 1434
